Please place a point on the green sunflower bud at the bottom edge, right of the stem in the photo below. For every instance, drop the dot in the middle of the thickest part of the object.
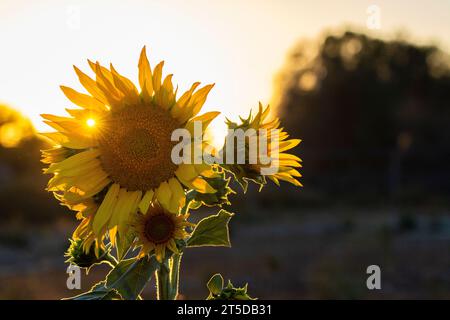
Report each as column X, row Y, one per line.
column 218, row 292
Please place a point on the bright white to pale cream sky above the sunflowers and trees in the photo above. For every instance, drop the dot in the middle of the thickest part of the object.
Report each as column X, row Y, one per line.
column 239, row 45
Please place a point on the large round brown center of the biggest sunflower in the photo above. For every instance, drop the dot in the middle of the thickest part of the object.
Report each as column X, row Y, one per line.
column 136, row 148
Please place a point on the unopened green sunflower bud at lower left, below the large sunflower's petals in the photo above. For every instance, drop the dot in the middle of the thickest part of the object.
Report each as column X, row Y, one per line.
column 86, row 258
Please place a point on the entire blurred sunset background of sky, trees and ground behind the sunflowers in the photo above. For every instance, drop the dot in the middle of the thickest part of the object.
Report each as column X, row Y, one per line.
column 364, row 84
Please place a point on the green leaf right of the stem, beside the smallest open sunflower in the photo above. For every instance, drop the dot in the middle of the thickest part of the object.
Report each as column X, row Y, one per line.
column 212, row 231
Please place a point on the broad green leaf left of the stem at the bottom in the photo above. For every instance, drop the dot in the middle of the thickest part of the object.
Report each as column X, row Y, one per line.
column 130, row 276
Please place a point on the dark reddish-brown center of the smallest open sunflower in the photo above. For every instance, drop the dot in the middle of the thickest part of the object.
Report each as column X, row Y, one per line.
column 159, row 228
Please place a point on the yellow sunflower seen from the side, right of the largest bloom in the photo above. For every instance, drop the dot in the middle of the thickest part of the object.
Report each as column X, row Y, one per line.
column 277, row 145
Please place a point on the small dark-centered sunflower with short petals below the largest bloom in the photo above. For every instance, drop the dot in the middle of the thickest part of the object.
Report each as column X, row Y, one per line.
column 158, row 229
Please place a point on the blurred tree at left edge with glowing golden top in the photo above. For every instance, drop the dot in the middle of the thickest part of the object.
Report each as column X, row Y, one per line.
column 23, row 198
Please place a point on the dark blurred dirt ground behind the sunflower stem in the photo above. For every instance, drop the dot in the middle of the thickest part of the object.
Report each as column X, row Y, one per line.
column 314, row 255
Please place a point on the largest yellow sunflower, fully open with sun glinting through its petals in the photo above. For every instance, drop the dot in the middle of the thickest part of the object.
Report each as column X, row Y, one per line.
column 113, row 154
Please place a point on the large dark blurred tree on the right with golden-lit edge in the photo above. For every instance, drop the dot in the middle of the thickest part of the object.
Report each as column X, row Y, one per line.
column 373, row 116
